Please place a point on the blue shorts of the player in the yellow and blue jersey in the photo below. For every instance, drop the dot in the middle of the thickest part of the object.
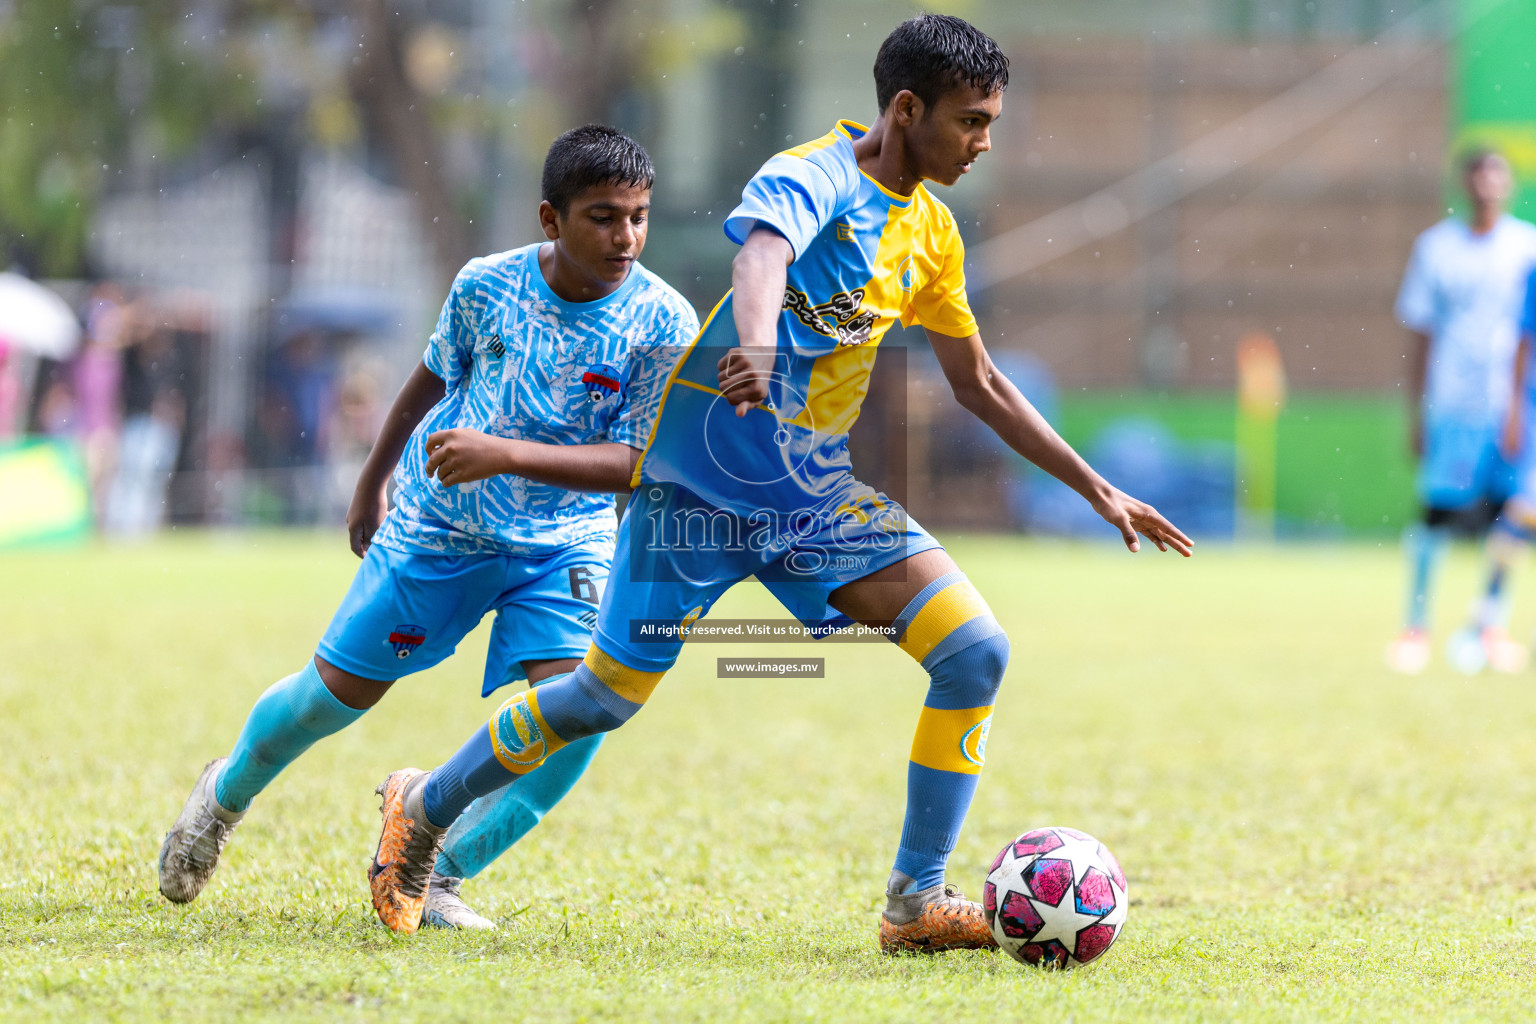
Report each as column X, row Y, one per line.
column 678, row 555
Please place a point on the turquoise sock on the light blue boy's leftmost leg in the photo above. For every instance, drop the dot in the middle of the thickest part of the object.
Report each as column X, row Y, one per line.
column 285, row 722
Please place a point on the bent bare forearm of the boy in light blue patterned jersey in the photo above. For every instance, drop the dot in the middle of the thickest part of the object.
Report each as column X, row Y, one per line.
column 463, row 455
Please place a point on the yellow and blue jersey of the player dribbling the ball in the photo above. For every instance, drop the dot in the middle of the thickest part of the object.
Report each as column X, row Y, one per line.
column 864, row 259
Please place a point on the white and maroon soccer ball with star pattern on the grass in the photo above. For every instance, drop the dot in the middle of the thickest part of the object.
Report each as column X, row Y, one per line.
column 1056, row 899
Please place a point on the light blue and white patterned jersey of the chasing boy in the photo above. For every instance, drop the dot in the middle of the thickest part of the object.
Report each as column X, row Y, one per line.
column 523, row 363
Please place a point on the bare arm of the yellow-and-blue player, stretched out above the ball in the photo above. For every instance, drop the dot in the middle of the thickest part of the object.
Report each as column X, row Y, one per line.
column 984, row 391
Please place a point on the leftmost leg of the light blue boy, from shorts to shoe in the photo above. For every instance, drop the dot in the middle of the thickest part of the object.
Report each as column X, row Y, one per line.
column 402, row 615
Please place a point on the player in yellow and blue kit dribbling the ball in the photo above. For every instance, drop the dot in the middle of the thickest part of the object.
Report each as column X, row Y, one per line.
column 747, row 474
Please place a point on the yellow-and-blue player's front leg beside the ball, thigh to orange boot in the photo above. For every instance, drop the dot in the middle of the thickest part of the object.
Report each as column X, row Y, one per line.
column 947, row 627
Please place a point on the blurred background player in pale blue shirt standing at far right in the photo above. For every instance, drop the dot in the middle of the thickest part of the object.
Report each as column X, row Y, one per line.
column 1462, row 300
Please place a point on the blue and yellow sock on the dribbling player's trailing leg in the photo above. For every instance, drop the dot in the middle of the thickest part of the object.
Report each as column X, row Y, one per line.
column 598, row 698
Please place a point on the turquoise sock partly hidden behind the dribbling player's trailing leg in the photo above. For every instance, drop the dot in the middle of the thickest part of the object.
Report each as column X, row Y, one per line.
column 494, row 824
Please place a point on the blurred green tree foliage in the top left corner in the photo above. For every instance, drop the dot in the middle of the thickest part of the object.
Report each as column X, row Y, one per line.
column 88, row 93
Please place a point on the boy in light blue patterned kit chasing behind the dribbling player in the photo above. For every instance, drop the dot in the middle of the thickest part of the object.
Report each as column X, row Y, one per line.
column 526, row 414
